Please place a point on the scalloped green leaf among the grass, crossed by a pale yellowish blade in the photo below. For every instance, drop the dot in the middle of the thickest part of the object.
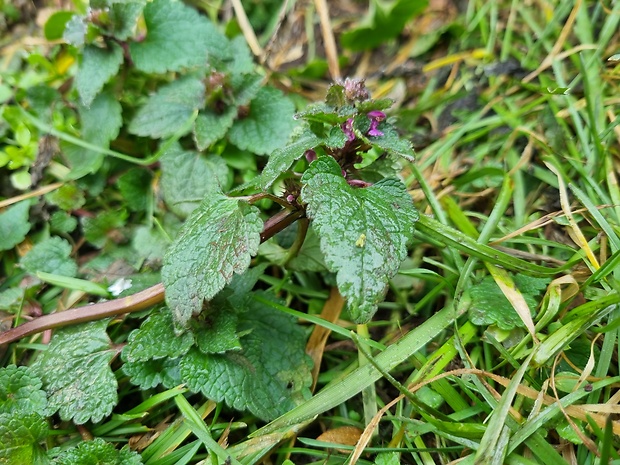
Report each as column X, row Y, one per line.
column 489, row 306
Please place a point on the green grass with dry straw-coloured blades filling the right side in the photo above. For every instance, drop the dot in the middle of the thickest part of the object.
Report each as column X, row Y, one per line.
column 520, row 181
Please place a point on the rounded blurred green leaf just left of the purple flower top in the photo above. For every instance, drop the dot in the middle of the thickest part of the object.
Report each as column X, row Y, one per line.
column 268, row 125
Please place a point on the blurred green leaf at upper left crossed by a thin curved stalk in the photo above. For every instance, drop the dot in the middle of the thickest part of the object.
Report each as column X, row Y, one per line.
column 101, row 123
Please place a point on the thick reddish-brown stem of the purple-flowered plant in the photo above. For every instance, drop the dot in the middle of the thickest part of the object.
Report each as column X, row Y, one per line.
column 133, row 303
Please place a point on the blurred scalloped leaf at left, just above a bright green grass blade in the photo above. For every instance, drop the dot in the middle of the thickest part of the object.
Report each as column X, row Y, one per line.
column 51, row 255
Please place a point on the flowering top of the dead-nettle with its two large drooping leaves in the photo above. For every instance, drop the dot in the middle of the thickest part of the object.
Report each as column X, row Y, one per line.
column 363, row 226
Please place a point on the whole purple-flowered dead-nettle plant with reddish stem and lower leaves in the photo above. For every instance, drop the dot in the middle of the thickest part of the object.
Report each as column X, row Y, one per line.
column 337, row 177
